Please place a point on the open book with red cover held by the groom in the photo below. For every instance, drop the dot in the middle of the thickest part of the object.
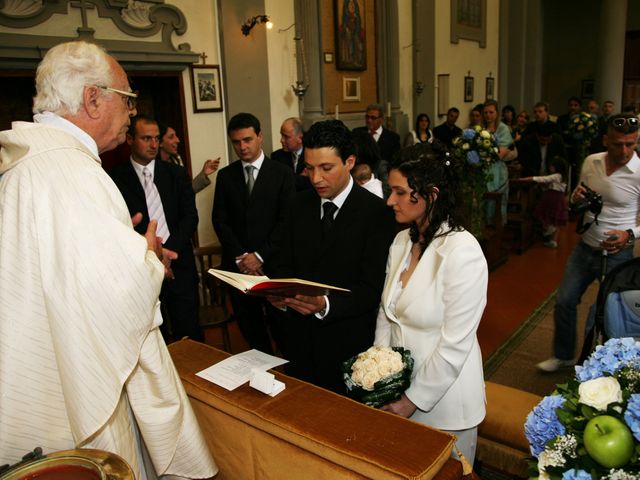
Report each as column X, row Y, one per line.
column 283, row 287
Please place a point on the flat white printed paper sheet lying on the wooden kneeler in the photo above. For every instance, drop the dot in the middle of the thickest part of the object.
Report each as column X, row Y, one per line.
column 237, row 369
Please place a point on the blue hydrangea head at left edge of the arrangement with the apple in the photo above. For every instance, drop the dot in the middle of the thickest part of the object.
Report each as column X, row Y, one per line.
column 542, row 423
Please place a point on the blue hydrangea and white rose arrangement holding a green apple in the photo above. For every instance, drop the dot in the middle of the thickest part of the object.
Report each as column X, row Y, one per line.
column 590, row 427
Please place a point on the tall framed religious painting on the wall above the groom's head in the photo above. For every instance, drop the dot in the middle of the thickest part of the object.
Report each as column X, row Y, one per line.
column 351, row 38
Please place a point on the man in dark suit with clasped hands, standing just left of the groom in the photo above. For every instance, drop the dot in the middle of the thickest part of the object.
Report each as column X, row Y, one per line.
column 248, row 207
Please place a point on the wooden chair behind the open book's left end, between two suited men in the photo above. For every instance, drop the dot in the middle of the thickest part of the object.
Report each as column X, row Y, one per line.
column 215, row 310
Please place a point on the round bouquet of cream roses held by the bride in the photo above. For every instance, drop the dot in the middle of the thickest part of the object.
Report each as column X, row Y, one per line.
column 379, row 375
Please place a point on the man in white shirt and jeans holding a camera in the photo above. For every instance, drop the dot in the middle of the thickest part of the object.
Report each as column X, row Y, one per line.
column 609, row 182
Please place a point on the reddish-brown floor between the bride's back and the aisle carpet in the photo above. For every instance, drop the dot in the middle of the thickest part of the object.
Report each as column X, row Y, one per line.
column 515, row 290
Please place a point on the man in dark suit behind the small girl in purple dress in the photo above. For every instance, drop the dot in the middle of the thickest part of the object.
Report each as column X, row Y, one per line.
column 537, row 150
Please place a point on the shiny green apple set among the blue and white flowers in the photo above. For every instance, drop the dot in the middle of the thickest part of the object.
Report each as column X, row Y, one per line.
column 608, row 441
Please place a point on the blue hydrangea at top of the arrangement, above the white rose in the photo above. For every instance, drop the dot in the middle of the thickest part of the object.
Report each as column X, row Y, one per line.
column 609, row 358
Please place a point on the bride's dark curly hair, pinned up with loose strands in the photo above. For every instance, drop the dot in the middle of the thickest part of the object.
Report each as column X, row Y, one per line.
column 427, row 167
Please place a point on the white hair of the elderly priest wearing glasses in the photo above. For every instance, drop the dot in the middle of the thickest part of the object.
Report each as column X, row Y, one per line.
column 64, row 72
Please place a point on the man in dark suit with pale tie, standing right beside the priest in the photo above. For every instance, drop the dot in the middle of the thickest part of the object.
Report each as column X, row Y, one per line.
column 140, row 180
